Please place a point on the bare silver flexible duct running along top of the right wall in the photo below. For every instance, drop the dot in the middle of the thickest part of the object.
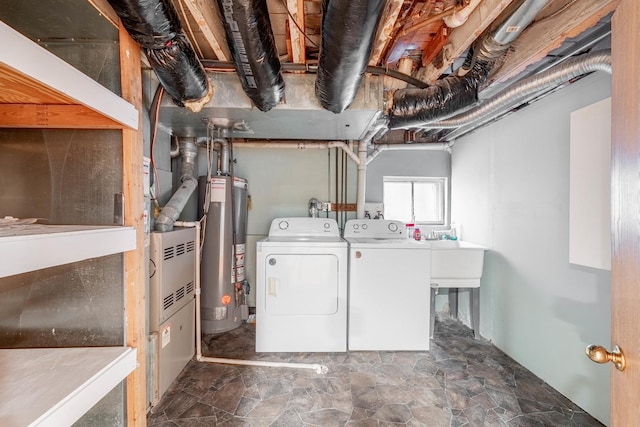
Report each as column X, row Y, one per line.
column 596, row 61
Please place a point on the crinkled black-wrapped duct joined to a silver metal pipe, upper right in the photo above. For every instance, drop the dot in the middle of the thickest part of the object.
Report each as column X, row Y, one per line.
column 415, row 107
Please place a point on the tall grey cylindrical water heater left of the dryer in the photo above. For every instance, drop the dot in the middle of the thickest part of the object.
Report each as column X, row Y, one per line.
column 224, row 287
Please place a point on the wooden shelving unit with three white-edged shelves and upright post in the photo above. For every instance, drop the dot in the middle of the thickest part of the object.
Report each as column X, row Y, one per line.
column 56, row 386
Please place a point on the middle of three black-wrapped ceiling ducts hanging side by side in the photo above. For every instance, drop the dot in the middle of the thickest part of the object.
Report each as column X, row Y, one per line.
column 253, row 48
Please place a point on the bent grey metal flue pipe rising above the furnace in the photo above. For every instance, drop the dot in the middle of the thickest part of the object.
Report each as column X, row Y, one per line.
column 172, row 210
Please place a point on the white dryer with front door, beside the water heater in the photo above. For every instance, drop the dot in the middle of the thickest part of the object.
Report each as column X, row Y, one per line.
column 301, row 287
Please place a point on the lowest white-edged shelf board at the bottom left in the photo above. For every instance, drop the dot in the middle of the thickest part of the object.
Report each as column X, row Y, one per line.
column 56, row 386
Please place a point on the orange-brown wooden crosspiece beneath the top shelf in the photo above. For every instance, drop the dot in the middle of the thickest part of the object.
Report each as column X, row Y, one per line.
column 53, row 117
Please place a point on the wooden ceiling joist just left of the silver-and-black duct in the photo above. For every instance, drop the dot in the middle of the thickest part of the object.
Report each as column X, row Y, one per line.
column 462, row 37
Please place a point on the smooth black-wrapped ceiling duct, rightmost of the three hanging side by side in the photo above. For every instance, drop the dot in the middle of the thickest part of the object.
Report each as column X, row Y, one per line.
column 348, row 29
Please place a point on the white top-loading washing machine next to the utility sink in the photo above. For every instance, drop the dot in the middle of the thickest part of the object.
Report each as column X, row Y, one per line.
column 389, row 289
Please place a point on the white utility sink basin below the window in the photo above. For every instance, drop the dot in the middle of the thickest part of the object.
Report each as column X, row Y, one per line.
column 456, row 264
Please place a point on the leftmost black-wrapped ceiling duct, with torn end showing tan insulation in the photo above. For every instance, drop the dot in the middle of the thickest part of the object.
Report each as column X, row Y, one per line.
column 154, row 25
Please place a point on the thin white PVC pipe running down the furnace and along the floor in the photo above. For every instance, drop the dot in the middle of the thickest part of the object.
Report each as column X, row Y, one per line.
column 320, row 369
